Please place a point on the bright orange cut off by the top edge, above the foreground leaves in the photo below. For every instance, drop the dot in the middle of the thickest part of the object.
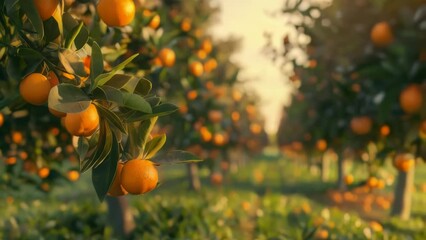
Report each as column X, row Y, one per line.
column 116, row 13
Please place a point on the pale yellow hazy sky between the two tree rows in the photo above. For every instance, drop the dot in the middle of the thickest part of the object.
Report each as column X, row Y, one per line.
column 249, row 19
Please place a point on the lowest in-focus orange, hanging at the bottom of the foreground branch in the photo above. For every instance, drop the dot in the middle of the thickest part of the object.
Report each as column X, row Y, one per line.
column 139, row 176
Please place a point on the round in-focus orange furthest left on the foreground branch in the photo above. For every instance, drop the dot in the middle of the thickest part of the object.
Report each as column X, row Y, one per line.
column 35, row 88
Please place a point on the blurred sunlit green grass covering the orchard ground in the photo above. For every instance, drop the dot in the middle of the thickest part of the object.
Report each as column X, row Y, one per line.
column 268, row 198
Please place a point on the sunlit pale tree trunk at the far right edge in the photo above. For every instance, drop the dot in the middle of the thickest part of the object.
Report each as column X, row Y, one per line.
column 402, row 195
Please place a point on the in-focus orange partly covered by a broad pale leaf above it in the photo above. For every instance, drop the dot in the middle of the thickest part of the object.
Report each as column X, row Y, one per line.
column 83, row 123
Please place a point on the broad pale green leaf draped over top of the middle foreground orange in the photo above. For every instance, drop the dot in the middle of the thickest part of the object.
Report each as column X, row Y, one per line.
column 68, row 98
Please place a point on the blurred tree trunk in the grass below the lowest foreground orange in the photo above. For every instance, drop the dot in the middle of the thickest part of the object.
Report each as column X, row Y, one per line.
column 120, row 216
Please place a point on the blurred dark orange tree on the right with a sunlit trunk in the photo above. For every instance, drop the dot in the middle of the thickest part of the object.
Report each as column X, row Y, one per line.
column 361, row 87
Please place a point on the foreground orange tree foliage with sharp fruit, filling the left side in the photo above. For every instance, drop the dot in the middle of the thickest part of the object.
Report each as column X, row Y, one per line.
column 54, row 70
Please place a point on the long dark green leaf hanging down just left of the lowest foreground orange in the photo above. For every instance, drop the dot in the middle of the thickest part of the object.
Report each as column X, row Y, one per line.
column 103, row 175
